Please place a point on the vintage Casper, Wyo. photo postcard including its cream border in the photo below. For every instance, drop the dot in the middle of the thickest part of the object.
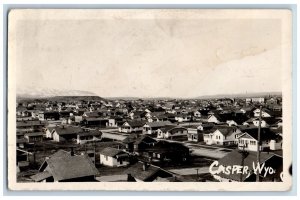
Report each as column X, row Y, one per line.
column 112, row 97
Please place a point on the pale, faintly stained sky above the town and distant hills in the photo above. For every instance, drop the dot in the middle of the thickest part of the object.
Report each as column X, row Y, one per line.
column 149, row 57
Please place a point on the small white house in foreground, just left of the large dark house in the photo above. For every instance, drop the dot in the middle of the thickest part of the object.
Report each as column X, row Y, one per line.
column 113, row 157
